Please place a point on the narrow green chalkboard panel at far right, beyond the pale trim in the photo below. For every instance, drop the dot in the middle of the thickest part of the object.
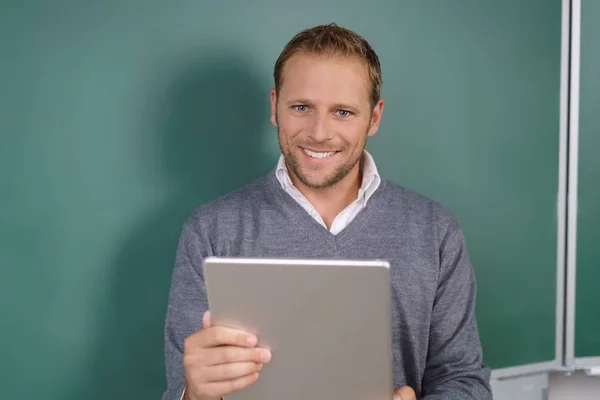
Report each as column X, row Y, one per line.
column 587, row 312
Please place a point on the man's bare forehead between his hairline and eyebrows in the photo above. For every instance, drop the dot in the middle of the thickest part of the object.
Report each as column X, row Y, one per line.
column 325, row 78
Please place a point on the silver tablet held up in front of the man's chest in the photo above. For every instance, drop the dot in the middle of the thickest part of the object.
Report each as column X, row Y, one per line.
column 327, row 323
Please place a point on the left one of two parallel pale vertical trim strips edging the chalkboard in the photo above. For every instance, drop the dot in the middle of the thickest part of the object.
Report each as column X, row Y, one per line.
column 562, row 181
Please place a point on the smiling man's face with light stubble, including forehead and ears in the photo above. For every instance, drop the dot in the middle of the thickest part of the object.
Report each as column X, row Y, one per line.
column 323, row 115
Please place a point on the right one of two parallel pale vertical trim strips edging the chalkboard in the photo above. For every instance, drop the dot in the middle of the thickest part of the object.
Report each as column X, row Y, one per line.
column 572, row 184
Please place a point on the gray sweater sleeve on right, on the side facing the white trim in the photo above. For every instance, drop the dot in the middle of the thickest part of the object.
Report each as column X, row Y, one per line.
column 454, row 368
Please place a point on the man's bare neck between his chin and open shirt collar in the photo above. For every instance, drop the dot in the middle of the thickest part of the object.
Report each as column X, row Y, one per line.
column 329, row 202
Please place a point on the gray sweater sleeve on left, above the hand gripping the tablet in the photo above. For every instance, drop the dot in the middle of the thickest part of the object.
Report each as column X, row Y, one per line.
column 187, row 303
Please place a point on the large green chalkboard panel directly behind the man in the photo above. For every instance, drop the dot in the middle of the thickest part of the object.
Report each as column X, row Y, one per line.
column 118, row 118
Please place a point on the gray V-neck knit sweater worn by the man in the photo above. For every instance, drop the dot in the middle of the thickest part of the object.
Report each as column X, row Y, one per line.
column 435, row 337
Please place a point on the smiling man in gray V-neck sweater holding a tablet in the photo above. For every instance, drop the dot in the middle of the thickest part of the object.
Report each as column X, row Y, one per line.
column 325, row 199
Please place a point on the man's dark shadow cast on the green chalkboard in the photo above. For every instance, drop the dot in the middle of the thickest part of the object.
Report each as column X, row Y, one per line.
column 211, row 138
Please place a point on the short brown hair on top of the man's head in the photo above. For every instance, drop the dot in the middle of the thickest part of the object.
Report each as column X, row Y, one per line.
column 330, row 40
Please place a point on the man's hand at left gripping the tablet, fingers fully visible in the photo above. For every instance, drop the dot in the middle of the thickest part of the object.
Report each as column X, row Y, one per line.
column 219, row 361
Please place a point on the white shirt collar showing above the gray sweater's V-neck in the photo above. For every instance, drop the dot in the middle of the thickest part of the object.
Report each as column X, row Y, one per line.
column 370, row 183
